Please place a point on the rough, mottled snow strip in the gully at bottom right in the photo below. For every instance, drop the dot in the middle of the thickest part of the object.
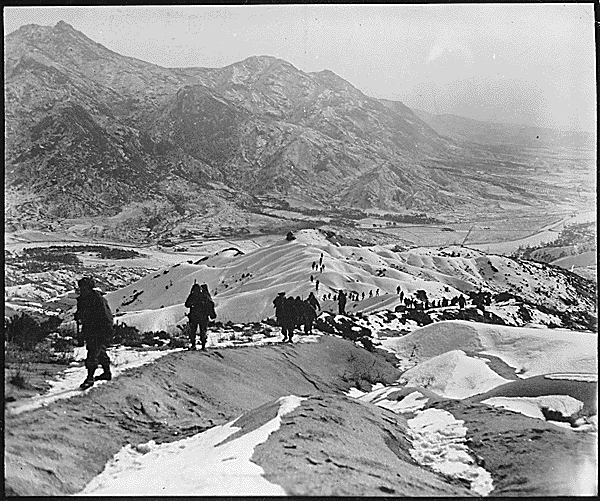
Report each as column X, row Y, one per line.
column 438, row 441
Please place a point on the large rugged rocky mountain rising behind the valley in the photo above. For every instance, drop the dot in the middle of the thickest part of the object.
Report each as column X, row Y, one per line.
column 91, row 133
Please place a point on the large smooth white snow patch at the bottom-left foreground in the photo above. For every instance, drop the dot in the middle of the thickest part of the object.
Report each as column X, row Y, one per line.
column 197, row 466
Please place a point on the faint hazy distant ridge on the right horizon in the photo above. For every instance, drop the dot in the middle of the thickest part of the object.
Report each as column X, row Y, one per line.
column 497, row 134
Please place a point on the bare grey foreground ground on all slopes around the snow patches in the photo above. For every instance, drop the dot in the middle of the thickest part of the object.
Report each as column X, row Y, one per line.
column 331, row 444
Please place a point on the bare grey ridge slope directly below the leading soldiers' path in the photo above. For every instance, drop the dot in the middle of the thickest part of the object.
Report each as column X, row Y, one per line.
column 57, row 450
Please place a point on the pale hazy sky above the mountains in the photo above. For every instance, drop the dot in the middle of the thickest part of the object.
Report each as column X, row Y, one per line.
column 519, row 63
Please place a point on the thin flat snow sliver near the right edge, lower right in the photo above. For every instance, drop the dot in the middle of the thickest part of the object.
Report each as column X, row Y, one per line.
column 531, row 406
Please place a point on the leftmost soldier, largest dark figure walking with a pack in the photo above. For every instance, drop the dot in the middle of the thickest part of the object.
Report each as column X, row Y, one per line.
column 96, row 319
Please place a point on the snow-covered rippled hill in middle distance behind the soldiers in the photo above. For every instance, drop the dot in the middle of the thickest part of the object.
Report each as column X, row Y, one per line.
column 244, row 285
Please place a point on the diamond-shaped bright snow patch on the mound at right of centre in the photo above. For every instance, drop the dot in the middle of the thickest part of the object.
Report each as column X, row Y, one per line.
column 453, row 375
